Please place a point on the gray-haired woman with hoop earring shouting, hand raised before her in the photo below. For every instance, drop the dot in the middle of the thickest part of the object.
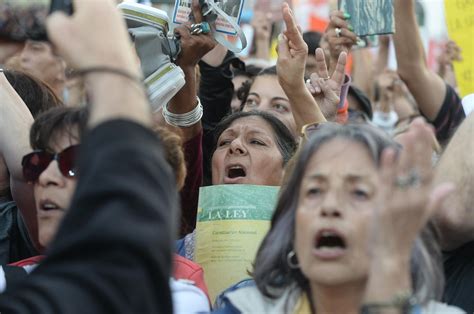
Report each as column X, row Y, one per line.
column 350, row 229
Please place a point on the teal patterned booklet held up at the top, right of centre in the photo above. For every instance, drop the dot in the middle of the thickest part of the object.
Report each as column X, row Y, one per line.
column 370, row 17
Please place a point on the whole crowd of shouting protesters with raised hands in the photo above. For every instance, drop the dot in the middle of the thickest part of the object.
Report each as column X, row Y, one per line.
column 99, row 196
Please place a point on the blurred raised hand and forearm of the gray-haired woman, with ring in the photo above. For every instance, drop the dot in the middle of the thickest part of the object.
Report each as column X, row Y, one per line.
column 403, row 210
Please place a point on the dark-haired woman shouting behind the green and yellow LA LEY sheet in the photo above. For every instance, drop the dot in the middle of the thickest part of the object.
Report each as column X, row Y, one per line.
column 249, row 148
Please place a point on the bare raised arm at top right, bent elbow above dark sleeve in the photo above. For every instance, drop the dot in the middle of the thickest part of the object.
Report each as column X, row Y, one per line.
column 425, row 85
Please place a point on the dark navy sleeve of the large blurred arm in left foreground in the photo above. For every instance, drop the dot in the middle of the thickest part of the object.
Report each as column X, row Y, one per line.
column 112, row 253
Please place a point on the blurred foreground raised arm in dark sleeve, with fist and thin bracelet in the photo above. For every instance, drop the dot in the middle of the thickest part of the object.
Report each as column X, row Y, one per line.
column 112, row 253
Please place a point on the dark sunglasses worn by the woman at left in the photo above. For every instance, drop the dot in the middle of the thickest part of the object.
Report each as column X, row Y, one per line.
column 36, row 162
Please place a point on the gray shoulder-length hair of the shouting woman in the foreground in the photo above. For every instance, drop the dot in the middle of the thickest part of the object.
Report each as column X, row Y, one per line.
column 272, row 273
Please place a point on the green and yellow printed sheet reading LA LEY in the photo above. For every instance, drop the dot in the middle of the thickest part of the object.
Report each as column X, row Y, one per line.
column 231, row 223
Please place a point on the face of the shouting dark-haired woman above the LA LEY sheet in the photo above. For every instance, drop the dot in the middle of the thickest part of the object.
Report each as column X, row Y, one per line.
column 247, row 153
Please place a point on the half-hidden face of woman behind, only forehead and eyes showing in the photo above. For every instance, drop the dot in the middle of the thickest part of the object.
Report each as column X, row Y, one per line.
column 266, row 94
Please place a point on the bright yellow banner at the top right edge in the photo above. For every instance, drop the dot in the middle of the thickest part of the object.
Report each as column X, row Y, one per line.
column 460, row 22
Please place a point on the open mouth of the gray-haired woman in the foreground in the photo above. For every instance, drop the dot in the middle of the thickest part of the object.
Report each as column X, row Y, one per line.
column 329, row 244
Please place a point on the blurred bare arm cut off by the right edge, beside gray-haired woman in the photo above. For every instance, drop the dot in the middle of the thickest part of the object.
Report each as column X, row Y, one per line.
column 456, row 220
